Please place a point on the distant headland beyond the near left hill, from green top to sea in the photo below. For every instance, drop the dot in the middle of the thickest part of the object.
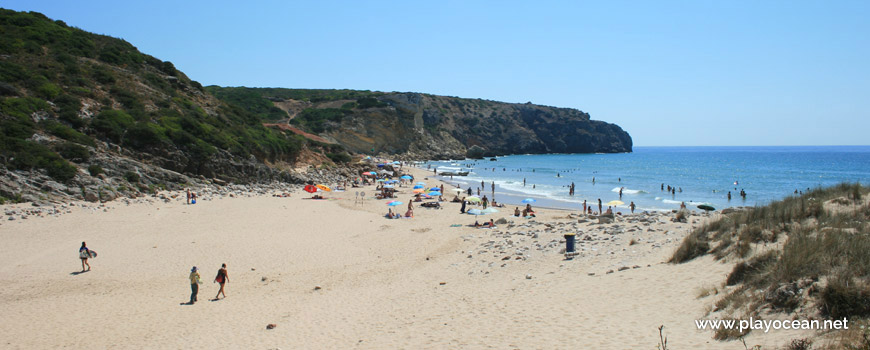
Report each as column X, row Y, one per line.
column 422, row 126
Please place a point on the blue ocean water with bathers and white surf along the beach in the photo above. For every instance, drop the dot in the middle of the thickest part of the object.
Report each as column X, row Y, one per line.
column 704, row 174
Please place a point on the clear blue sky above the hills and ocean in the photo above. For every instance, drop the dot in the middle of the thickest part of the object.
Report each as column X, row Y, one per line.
column 668, row 72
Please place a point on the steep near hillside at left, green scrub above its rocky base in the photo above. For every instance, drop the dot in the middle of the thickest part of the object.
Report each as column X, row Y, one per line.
column 85, row 115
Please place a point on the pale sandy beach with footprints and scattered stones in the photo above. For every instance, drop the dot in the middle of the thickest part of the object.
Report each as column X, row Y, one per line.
column 336, row 274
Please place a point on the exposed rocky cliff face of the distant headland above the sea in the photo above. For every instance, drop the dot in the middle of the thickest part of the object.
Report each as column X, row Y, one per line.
column 427, row 126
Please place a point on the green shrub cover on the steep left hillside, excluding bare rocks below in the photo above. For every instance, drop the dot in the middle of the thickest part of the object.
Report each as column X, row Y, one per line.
column 82, row 88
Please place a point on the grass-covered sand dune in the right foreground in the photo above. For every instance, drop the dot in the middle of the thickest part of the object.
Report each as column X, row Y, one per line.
column 812, row 249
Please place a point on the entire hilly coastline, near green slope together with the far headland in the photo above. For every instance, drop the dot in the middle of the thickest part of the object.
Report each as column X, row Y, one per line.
column 87, row 116
